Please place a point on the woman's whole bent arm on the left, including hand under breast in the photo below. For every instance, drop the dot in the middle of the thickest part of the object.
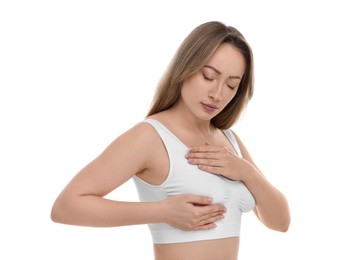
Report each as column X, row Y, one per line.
column 82, row 201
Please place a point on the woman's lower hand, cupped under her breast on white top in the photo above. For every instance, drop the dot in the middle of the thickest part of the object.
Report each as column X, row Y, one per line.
column 192, row 212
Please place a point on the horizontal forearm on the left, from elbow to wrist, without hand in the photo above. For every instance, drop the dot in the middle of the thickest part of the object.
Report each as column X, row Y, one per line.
column 89, row 210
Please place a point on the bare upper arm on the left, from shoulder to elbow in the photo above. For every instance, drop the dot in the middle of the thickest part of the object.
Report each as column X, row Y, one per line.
column 125, row 156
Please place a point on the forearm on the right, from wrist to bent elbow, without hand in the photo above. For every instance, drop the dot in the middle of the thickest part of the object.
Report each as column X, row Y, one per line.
column 271, row 205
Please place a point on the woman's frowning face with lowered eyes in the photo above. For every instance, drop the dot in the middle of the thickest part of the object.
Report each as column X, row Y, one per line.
column 206, row 93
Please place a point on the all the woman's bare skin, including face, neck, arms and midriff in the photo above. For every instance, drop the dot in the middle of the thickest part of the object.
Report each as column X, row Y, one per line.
column 203, row 96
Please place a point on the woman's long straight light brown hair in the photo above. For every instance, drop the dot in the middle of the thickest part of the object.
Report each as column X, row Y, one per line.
column 194, row 52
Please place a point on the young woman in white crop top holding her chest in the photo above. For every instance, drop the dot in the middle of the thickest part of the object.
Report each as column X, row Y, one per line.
column 193, row 174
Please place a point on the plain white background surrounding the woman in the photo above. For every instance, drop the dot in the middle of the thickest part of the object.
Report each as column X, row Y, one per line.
column 76, row 74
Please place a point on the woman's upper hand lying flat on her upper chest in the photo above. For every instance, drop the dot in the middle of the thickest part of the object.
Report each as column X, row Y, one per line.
column 219, row 160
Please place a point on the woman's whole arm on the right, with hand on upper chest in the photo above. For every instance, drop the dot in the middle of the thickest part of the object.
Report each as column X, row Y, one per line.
column 271, row 205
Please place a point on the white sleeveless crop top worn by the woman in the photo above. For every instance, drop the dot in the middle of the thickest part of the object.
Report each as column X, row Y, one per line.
column 184, row 178
